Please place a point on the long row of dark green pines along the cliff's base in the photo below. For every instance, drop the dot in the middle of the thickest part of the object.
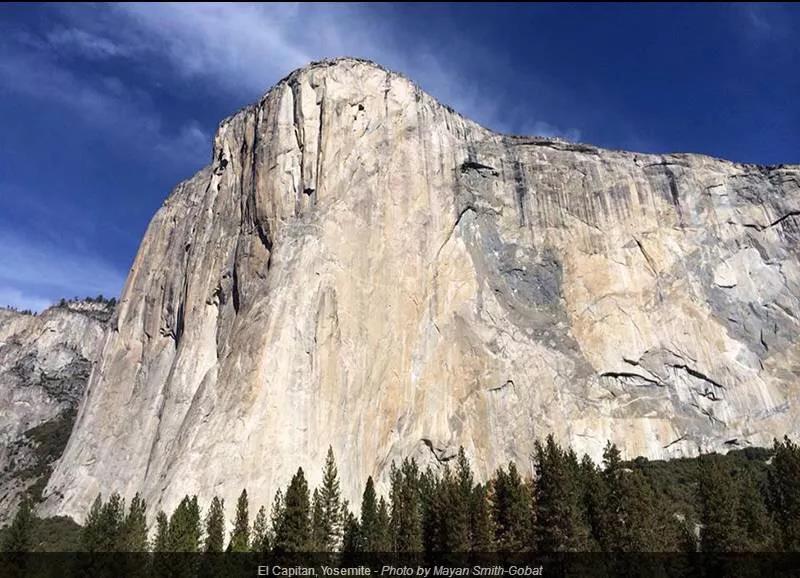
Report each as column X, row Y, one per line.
column 566, row 504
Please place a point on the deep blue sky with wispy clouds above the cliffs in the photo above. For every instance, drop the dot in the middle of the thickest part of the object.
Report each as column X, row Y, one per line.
column 105, row 108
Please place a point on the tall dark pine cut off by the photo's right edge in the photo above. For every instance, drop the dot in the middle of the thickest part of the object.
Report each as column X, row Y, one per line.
column 784, row 493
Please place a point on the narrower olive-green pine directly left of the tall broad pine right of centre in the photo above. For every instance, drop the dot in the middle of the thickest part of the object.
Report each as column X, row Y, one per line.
column 511, row 509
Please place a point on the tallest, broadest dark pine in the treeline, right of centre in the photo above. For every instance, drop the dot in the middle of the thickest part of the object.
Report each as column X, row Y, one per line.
column 561, row 521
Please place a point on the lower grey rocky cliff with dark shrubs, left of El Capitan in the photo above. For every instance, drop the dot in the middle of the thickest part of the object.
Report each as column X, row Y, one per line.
column 45, row 362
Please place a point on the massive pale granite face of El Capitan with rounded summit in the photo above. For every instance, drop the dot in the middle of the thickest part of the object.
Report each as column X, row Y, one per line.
column 361, row 266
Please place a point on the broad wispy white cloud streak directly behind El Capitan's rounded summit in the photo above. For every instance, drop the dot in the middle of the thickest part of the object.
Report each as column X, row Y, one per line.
column 243, row 49
